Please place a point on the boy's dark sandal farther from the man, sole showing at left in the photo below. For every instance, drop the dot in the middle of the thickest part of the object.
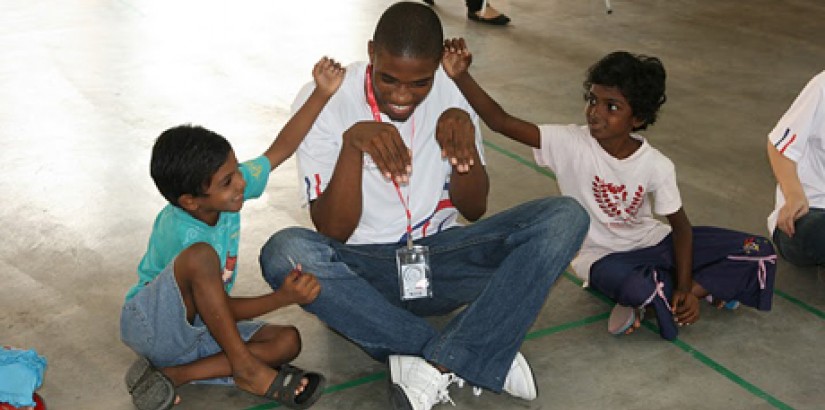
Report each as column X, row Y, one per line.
column 150, row 389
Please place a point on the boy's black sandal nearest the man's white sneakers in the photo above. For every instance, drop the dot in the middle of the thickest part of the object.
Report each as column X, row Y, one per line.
column 288, row 380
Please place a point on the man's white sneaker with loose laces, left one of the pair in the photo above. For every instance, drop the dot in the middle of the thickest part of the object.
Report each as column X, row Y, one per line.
column 417, row 385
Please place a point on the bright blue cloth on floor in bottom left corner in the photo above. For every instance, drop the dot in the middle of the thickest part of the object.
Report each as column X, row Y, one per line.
column 21, row 373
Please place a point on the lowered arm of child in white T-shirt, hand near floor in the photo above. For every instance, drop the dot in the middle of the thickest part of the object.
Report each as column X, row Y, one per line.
column 684, row 304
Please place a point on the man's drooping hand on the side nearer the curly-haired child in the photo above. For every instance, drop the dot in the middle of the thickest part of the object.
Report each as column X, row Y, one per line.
column 455, row 134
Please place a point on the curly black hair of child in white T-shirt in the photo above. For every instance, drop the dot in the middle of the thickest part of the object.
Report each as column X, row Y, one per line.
column 640, row 79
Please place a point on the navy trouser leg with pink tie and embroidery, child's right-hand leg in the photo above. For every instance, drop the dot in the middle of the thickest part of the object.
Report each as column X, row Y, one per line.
column 733, row 266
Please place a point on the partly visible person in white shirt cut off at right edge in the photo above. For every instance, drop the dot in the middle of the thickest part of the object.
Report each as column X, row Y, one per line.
column 796, row 149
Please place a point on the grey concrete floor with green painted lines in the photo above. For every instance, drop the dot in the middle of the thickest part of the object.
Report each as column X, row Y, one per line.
column 87, row 86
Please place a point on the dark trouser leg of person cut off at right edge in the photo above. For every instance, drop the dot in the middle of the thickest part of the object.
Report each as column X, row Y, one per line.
column 807, row 246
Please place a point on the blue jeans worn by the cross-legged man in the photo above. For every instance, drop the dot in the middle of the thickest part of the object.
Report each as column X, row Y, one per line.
column 501, row 267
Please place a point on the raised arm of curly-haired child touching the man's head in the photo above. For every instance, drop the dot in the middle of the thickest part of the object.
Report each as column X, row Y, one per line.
column 456, row 61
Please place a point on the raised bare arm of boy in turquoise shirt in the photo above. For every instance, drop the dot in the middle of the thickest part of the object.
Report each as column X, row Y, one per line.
column 328, row 75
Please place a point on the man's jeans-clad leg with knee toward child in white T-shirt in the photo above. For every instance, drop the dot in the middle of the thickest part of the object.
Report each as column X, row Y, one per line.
column 504, row 266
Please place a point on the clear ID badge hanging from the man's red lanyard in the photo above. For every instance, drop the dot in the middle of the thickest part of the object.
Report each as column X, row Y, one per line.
column 414, row 272
